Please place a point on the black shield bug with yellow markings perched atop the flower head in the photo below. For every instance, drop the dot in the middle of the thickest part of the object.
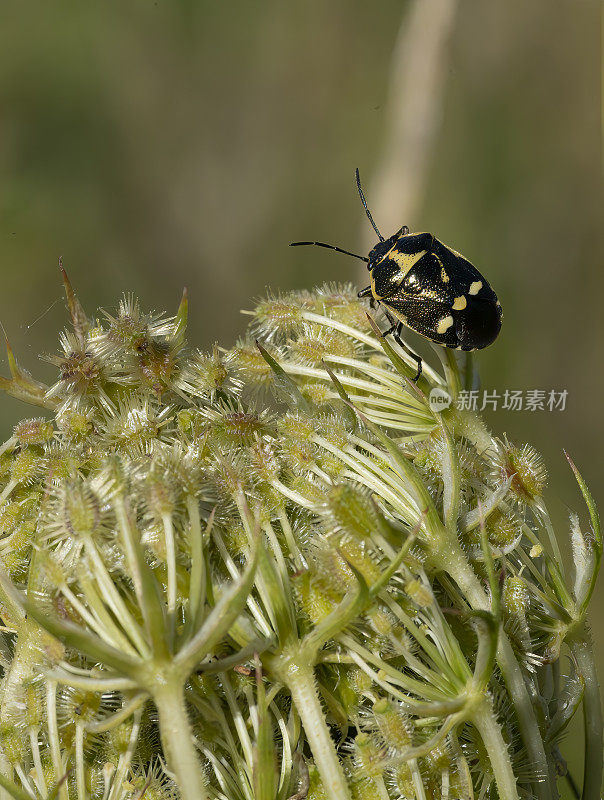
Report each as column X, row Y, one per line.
column 430, row 288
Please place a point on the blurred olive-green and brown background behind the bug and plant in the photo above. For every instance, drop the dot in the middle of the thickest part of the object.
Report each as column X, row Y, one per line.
column 155, row 145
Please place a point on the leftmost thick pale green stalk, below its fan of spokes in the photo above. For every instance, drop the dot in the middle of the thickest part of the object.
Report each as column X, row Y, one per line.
column 177, row 742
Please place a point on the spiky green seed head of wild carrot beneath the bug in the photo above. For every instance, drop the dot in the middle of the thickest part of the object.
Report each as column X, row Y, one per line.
column 275, row 571
